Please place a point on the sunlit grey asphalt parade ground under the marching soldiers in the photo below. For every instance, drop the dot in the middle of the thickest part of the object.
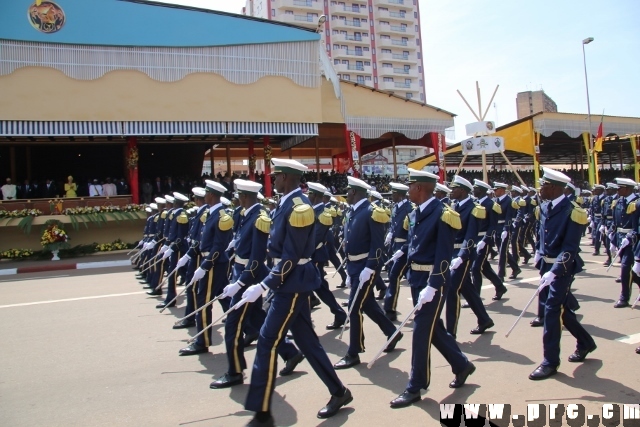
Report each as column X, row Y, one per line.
column 89, row 348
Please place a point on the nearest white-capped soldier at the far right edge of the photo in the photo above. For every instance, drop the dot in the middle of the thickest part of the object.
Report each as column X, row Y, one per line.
column 624, row 237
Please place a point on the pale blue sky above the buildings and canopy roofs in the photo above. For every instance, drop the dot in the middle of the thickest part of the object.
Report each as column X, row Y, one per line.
column 523, row 45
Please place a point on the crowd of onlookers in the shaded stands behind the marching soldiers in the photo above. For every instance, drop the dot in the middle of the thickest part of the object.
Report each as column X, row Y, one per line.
column 334, row 181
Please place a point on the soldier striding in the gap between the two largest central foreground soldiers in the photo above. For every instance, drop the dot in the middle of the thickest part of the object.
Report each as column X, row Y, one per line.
column 364, row 244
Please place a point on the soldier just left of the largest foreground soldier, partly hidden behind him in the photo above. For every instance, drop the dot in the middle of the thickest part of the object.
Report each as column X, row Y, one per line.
column 249, row 268
